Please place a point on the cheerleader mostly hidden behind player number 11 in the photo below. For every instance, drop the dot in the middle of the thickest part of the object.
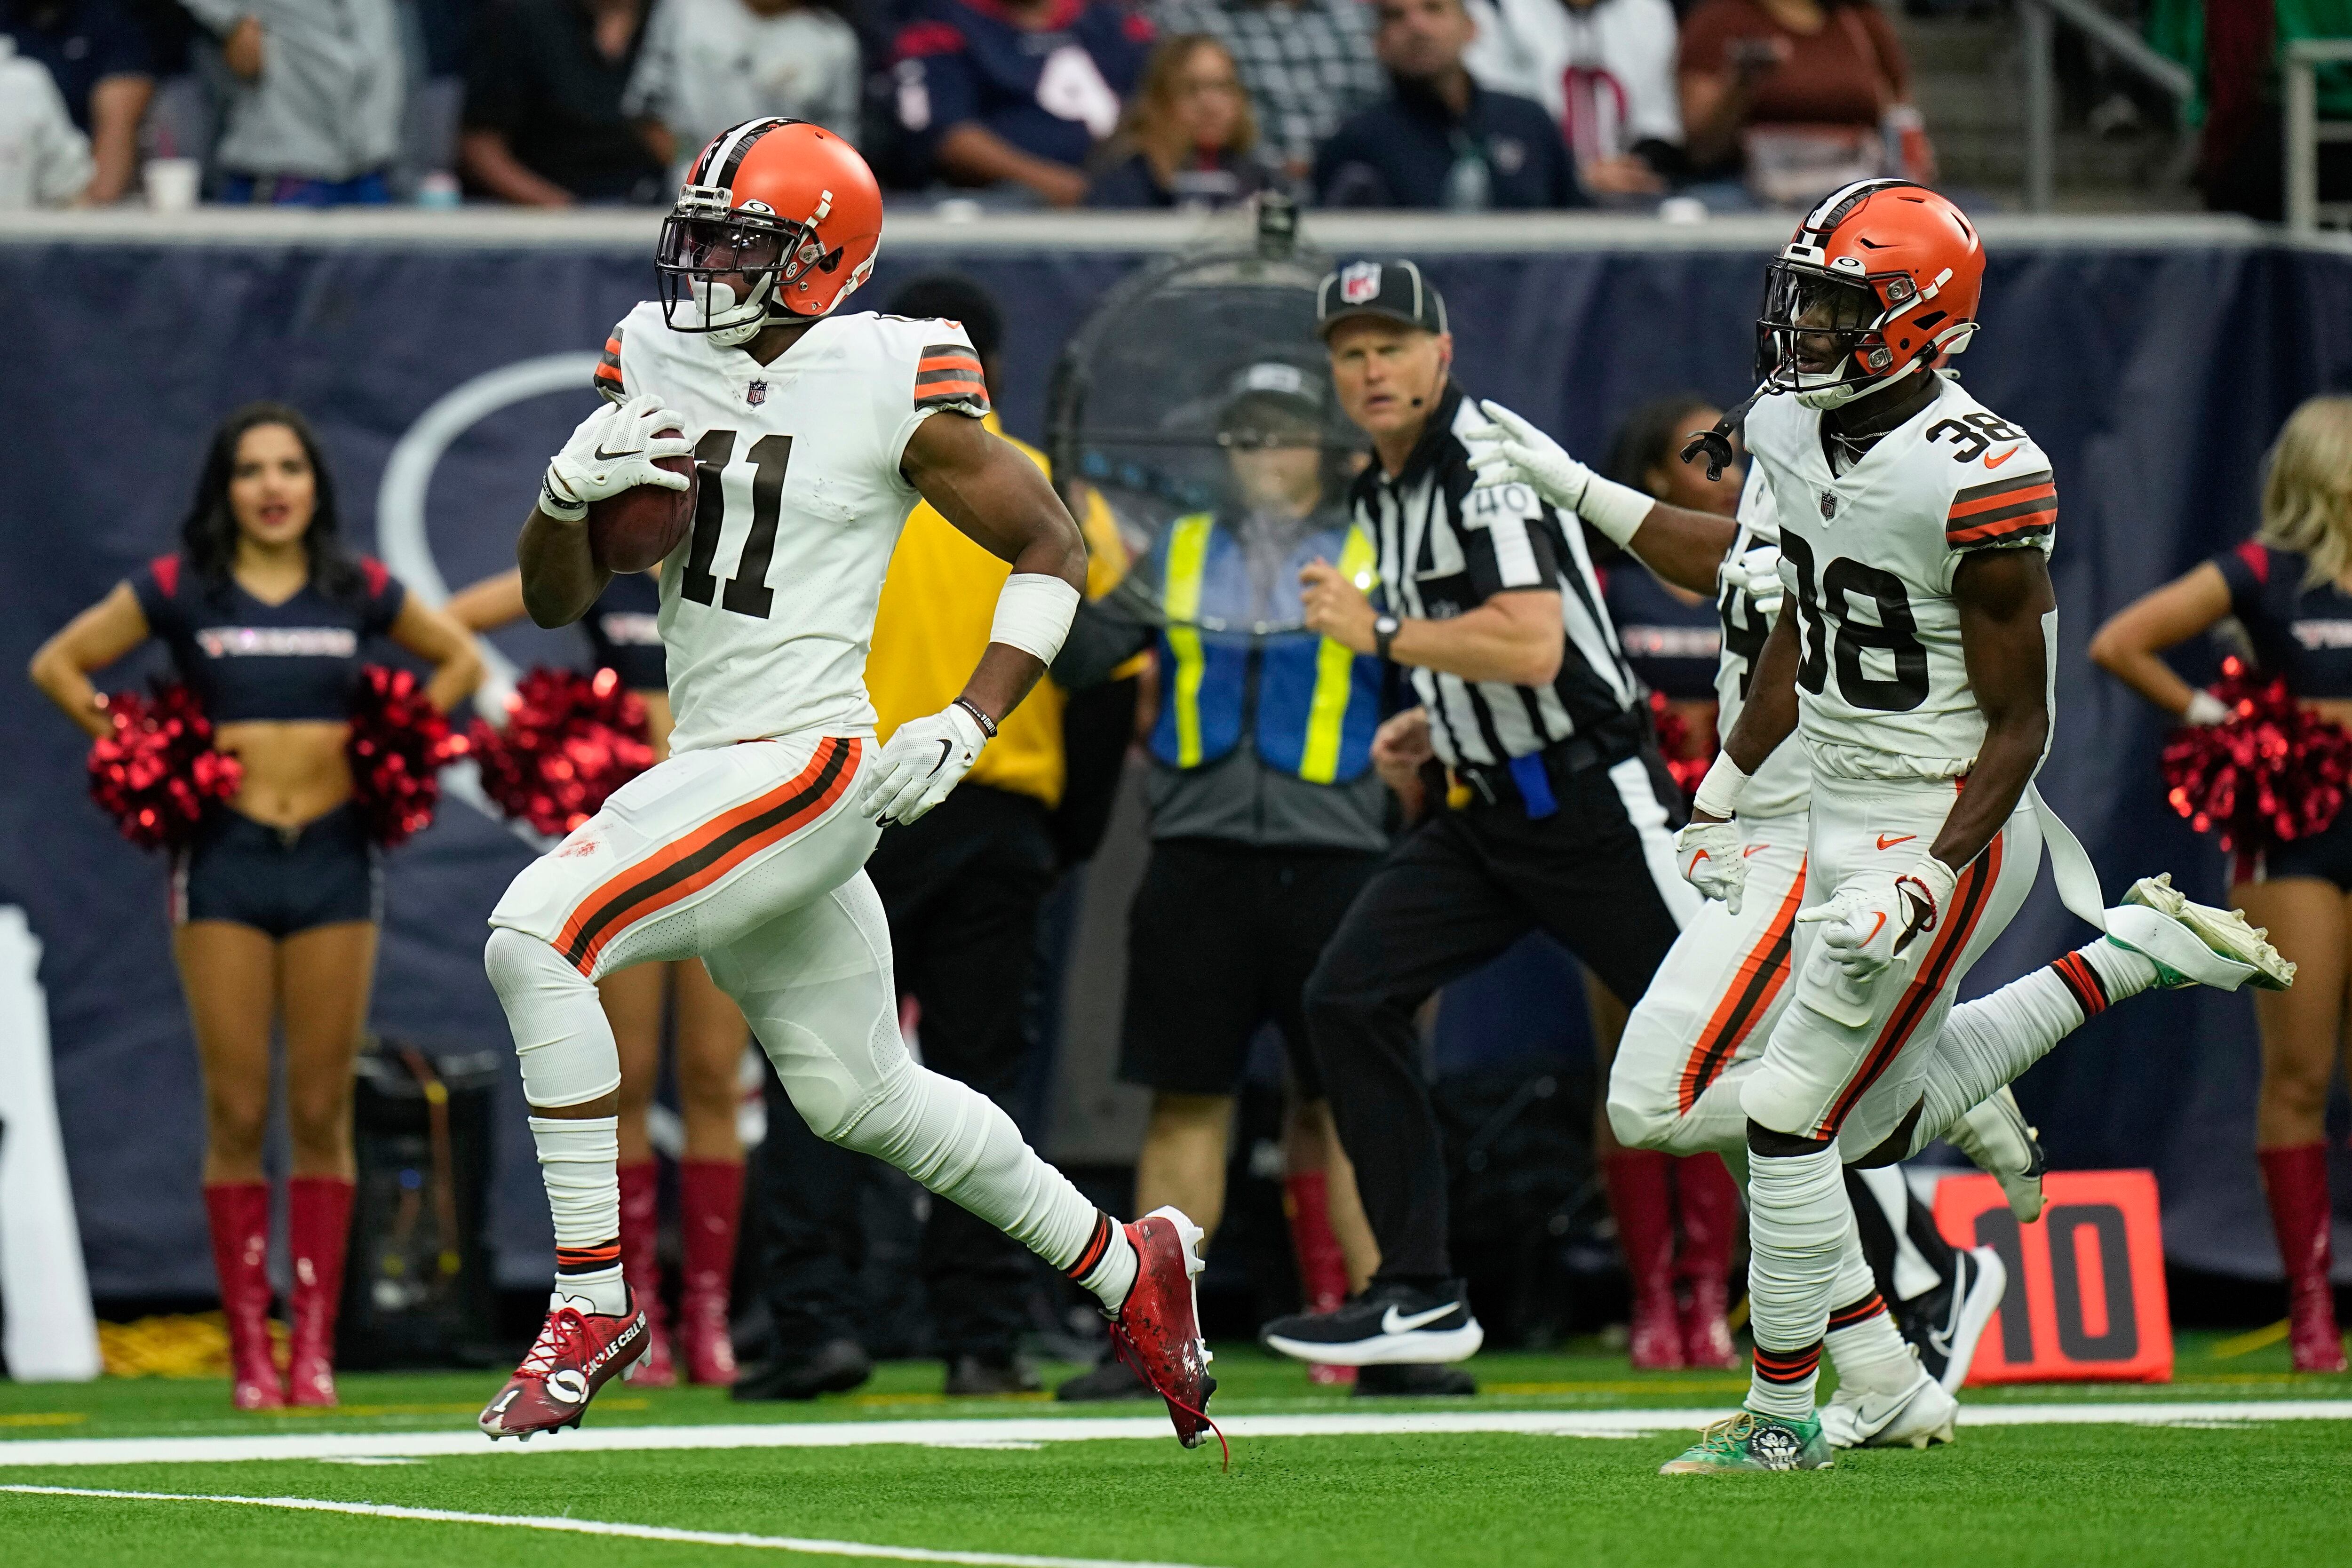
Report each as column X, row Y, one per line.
column 711, row 1033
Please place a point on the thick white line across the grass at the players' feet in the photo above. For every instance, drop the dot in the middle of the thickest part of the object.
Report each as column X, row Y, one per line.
column 1024, row 1430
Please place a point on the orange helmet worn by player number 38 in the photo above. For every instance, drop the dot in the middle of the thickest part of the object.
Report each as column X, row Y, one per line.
column 1890, row 272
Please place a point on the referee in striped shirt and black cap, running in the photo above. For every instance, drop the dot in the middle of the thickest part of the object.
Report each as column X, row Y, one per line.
column 1558, row 810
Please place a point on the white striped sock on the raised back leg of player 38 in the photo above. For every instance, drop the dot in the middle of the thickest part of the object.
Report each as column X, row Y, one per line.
column 1989, row 1043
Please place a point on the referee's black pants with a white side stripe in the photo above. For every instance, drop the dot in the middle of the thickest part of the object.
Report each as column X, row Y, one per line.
column 1455, row 894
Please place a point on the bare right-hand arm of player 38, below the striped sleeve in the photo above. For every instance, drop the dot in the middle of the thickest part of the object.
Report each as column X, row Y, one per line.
column 2007, row 617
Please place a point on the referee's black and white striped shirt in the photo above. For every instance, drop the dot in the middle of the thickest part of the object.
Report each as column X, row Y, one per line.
column 1445, row 551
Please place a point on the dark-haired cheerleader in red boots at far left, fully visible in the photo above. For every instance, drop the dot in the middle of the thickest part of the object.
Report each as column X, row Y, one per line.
column 279, row 899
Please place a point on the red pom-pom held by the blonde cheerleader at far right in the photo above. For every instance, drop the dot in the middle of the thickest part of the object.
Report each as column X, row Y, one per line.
column 2271, row 775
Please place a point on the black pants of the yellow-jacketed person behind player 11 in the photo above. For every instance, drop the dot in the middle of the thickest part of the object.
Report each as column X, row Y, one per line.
column 963, row 890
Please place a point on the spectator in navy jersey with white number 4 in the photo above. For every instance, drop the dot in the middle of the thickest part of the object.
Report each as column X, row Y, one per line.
column 1017, row 93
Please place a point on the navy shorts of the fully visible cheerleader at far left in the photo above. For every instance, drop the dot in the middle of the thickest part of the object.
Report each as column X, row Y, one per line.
column 281, row 880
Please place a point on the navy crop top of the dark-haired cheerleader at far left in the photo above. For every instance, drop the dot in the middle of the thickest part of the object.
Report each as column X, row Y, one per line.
column 267, row 662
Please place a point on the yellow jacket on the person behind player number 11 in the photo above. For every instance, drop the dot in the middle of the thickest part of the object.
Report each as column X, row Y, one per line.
column 937, row 608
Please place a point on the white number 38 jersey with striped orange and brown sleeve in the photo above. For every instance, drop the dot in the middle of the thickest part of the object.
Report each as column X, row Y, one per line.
column 1869, row 561
